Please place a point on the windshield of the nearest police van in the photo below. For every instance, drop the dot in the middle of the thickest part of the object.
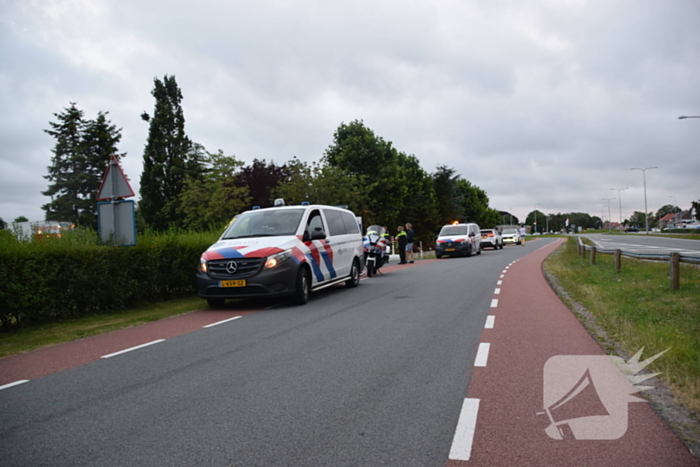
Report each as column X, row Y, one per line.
column 264, row 223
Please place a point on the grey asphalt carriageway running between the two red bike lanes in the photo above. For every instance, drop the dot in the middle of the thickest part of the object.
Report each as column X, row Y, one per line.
column 369, row 376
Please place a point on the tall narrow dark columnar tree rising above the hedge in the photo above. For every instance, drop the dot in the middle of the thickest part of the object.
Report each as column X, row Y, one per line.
column 169, row 157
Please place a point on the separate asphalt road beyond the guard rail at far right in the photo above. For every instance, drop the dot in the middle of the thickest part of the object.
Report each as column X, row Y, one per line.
column 646, row 243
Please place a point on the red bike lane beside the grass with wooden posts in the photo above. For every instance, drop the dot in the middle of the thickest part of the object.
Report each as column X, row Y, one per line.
column 530, row 324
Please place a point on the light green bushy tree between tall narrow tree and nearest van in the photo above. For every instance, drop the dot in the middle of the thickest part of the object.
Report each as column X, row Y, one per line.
column 214, row 198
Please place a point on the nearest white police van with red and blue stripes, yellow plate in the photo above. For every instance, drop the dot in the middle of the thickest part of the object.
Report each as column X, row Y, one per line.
column 282, row 251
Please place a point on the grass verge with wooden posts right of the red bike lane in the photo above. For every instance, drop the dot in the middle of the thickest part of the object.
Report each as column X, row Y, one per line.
column 636, row 308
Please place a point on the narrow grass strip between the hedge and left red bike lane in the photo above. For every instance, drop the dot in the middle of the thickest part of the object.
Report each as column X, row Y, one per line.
column 42, row 335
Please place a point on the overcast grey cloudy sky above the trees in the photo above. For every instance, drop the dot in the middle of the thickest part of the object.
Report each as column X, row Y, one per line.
column 542, row 103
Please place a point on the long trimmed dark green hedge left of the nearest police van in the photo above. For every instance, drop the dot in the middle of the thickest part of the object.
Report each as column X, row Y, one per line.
column 55, row 279
